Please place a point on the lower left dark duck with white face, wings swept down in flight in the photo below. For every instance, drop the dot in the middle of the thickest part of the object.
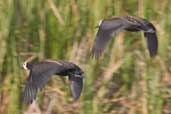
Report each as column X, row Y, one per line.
column 42, row 71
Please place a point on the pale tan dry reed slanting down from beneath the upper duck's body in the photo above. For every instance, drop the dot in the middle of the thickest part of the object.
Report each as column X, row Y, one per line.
column 114, row 65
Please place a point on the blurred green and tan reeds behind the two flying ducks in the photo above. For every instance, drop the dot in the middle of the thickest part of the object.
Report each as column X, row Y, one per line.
column 123, row 81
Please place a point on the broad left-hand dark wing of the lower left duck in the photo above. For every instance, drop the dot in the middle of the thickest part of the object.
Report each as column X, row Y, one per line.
column 38, row 77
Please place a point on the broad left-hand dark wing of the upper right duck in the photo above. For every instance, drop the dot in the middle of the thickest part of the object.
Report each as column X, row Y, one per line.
column 107, row 29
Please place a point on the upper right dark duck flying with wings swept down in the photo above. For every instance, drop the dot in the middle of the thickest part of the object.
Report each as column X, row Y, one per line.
column 109, row 27
